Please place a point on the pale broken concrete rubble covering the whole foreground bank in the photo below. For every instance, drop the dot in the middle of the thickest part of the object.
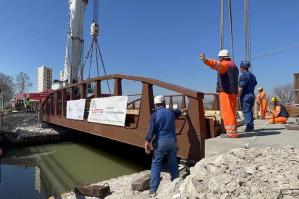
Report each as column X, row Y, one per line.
column 238, row 173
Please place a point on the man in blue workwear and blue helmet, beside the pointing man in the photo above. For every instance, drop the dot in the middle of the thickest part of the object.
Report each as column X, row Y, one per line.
column 247, row 83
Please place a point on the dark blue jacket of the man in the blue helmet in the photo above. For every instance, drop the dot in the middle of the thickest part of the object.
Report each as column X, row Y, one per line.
column 247, row 82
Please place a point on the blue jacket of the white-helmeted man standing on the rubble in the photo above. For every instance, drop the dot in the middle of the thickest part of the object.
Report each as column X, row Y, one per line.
column 162, row 124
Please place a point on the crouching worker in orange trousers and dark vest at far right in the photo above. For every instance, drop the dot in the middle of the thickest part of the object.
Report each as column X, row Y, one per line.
column 279, row 114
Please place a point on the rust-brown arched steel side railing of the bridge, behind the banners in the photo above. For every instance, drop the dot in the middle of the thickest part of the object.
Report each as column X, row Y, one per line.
column 191, row 128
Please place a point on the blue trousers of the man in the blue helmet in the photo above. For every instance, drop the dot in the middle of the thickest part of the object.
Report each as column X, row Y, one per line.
column 247, row 102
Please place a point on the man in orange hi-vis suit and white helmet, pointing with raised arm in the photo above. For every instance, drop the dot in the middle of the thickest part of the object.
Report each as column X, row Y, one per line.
column 227, row 86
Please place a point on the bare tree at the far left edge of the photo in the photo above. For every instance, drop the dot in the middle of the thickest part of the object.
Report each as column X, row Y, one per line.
column 7, row 89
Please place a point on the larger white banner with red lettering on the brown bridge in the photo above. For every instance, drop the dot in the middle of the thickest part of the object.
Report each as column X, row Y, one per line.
column 108, row 110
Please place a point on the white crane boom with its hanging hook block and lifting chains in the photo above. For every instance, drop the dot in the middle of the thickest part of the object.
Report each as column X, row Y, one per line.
column 73, row 64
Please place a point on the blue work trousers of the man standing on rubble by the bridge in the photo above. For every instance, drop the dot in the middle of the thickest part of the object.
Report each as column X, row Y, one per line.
column 161, row 147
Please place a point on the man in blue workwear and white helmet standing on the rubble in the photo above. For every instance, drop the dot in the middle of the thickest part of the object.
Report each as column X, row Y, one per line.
column 161, row 134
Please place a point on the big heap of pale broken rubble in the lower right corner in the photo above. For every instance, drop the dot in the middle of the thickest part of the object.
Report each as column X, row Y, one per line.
column 244, row 173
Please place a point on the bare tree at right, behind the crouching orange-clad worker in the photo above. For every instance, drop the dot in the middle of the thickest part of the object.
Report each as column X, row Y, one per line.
column 285, row 93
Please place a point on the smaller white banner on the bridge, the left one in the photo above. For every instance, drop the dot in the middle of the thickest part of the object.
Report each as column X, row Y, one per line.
column 75, row 109
